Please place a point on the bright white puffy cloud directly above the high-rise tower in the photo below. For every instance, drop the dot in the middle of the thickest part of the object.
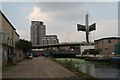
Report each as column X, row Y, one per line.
column 37, row 15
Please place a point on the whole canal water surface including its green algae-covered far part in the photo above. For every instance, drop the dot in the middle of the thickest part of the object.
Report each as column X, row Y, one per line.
column 96, row 69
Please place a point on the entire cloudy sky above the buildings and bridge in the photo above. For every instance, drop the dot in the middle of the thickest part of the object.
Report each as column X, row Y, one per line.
column 61, row 18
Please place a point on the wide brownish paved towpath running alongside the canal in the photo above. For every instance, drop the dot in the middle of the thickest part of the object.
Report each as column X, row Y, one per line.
column 37, row 68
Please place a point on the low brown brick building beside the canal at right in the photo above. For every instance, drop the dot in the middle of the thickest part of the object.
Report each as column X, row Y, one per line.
column 106, row 46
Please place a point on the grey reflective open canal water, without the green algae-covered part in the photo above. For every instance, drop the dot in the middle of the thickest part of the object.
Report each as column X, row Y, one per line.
column 99, row 71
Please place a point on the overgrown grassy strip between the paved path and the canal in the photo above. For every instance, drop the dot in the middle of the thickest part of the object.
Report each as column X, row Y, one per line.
column 68, row 64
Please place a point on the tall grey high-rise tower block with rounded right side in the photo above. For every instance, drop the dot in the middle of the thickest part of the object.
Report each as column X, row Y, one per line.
column 38, row 31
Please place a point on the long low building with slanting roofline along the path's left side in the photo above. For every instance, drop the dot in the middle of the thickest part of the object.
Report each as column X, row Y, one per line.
column 8, row 38
